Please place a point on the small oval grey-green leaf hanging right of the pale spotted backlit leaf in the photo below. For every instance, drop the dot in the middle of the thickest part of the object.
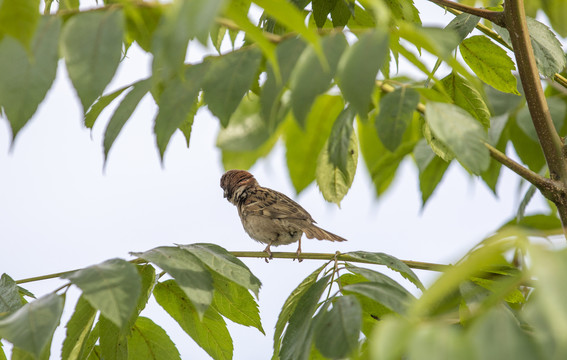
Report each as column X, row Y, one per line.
column 396, row 113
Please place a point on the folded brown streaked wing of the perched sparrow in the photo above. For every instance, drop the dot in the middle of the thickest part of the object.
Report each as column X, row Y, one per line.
column 274, row 205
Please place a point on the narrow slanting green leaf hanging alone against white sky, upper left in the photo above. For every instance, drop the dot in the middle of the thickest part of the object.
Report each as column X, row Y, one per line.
column 123, row 113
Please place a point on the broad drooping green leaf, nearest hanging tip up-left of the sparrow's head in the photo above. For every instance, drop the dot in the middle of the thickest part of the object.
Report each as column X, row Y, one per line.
column 175, row 102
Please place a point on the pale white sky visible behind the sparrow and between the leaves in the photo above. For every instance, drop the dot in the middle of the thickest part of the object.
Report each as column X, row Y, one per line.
column 59, row 211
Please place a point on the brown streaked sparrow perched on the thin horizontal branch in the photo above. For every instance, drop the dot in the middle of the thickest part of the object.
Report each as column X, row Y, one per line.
column 269, row 216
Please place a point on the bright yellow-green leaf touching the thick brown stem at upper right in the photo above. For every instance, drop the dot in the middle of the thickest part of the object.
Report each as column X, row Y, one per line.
column 490, row 63
